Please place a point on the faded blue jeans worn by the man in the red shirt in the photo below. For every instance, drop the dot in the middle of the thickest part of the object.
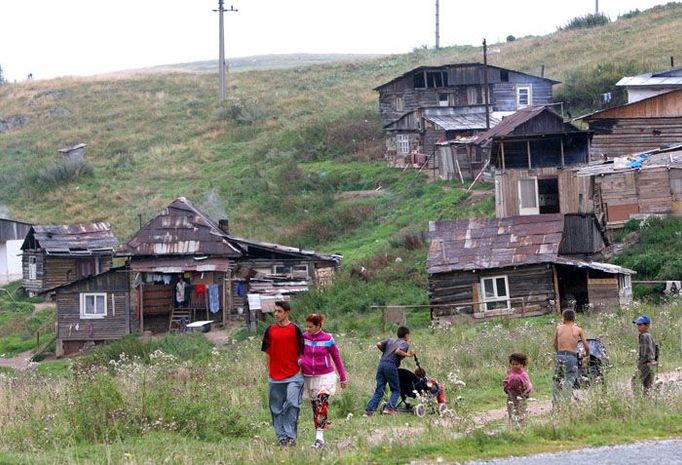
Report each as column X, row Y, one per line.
column 285, row 404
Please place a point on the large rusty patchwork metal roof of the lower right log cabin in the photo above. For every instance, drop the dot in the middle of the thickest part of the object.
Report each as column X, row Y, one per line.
column 485, row 243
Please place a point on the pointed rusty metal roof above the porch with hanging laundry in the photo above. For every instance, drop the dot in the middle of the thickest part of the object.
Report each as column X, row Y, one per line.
column 180, row 229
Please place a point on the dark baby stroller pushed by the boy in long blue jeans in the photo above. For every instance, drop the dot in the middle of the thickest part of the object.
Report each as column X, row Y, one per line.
column 429, row 394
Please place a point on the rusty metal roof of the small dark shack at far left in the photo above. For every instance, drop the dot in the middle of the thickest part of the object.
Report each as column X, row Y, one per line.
column 72, row 240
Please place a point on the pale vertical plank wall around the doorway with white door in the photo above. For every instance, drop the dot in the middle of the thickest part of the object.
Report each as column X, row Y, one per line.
column 570, row 189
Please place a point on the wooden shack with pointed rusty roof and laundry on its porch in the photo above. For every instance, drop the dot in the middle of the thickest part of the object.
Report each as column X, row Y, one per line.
column 223, row 275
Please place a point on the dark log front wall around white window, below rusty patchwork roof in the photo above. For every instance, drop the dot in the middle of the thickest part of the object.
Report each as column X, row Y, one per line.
column 530, row 288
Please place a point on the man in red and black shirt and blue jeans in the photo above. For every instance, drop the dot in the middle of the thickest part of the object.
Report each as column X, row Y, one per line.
column 283, row 345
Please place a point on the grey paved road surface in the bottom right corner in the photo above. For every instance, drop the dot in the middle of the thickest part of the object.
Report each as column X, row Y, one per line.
column 640, row 453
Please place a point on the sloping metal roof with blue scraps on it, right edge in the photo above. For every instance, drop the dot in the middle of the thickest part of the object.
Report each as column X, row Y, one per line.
column 659, row 158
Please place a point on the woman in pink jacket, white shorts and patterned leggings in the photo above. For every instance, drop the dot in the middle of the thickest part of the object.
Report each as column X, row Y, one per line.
column 319, row 378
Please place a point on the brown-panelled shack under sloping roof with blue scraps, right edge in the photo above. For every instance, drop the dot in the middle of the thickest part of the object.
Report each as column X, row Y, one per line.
column 623, row 188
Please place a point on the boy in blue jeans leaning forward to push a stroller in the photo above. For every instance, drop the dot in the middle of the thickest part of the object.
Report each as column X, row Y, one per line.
column 393, row 351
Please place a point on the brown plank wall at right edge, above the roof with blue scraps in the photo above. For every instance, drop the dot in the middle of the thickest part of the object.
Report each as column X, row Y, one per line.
column 626, row 136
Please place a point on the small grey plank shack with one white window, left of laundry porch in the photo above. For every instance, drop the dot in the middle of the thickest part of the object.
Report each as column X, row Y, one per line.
column 93, row 310
